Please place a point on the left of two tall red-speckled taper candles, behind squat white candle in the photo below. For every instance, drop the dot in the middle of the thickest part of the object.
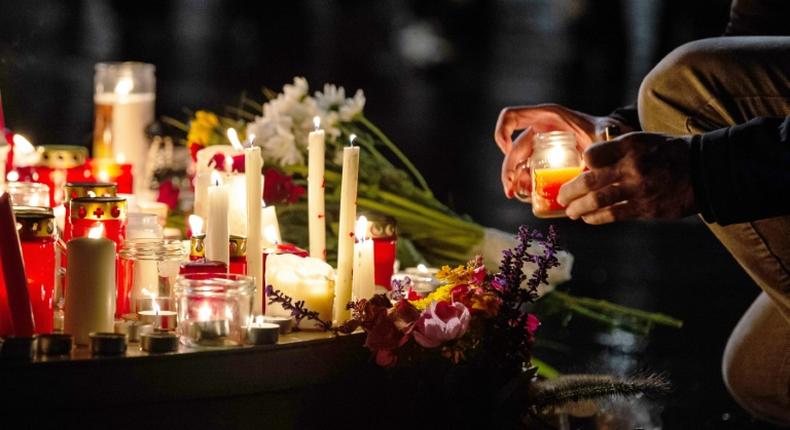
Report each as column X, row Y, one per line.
column 315, row 191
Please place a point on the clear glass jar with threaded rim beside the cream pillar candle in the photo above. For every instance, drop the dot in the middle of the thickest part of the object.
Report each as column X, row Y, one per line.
column 149, row 268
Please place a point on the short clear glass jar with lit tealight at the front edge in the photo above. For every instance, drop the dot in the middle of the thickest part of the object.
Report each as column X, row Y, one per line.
column 213, row 309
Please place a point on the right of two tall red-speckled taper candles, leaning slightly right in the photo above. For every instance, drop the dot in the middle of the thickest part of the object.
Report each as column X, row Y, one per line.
column 345, row 240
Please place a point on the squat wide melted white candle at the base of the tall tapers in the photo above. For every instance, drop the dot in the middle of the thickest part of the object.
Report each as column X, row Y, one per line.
column 309, row 279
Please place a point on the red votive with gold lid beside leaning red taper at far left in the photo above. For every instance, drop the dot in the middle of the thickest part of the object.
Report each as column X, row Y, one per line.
column 37, row 234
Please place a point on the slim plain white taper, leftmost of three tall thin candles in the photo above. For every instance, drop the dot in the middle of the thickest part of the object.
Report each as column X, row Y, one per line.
column 253, row 164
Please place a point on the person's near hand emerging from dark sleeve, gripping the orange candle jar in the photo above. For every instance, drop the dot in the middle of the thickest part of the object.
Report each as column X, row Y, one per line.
column 636, row 176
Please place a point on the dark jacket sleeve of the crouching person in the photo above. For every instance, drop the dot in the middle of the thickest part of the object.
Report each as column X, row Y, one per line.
column 742, row 173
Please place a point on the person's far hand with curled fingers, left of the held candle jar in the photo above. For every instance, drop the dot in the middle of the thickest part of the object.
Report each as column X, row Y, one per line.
column 540, row 119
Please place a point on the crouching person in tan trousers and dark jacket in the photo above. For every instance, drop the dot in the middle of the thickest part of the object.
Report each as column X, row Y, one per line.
column 710, row 134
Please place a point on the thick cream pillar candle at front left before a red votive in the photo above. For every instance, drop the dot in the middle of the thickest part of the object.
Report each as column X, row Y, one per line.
column 90, row 297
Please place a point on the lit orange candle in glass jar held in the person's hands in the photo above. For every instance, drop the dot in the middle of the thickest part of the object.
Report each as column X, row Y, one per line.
column 555, row 160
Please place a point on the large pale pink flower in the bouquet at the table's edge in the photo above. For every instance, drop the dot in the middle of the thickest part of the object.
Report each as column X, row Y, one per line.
column 441, row 322
